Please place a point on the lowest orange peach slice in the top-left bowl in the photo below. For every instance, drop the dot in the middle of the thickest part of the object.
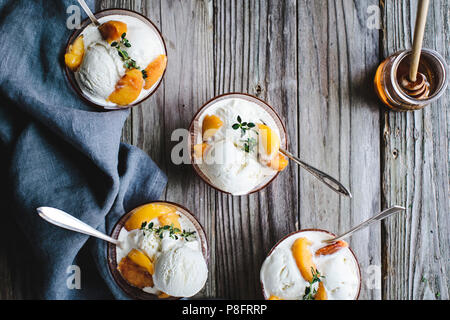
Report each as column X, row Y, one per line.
column 128, row 88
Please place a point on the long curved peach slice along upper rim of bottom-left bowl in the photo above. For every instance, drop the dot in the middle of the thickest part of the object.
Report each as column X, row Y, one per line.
column 147, row 213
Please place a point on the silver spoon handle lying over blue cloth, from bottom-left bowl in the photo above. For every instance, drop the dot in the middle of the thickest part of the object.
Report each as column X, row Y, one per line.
column 64, row 220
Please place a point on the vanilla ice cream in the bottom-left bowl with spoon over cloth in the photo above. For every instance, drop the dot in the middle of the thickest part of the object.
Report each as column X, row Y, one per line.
column 180, row 268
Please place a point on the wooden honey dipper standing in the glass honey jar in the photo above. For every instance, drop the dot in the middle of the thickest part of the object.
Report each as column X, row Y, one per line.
column 415, row 84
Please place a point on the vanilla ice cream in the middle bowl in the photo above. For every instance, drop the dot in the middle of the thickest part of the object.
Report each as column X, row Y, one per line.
column 226, row 163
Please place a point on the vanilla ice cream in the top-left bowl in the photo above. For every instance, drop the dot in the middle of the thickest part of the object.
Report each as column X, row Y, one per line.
column 102, row 67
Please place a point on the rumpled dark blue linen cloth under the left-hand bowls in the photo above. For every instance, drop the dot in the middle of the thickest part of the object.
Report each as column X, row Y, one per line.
column 59, row 152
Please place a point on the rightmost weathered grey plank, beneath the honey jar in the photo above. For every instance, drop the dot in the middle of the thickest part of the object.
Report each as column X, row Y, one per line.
column 415, row 171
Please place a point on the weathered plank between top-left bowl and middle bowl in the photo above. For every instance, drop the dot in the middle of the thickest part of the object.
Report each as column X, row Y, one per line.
column 188, row 84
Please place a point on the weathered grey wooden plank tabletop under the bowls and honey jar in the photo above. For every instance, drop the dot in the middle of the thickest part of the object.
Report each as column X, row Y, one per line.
column 314, row 62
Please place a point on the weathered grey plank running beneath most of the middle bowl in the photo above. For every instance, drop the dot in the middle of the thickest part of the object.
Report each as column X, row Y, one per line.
column 254, row 54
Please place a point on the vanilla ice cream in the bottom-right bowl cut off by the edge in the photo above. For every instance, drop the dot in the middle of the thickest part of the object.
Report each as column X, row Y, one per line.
column 281, row 277
